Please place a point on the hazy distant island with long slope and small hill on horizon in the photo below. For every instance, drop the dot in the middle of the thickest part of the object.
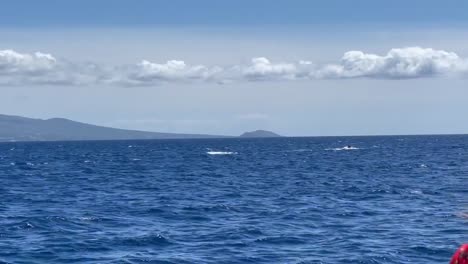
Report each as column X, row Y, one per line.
column 17, row 128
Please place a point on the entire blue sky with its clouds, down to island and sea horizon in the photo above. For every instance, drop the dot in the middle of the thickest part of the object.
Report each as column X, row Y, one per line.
column 298, row 68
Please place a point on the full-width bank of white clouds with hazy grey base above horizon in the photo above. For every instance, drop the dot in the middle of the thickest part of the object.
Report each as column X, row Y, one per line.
column 400, row 63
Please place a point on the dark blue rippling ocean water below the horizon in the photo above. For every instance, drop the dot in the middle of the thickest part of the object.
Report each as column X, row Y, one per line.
column 290, row 200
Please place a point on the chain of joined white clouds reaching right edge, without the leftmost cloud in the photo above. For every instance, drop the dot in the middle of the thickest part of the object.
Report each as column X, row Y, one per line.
column 411, row 62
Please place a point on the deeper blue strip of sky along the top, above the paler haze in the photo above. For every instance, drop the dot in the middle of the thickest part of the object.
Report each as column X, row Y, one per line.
column 215, row 13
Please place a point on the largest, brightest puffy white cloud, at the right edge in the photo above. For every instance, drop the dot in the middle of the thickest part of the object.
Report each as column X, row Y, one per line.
column 413, row 62
